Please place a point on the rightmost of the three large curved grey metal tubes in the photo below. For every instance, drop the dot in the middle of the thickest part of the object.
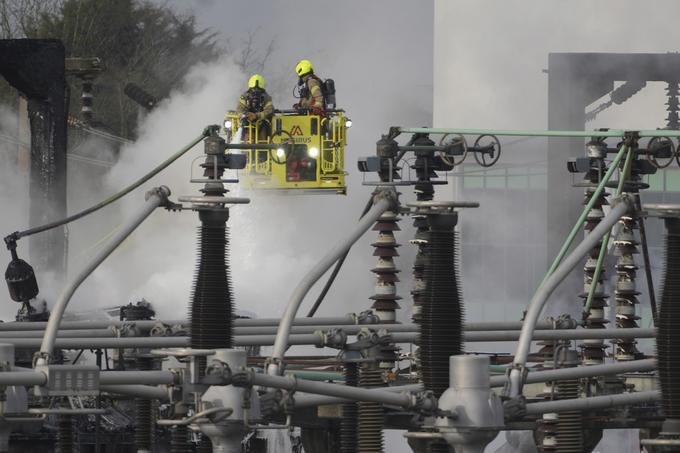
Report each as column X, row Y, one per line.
column 621, row 206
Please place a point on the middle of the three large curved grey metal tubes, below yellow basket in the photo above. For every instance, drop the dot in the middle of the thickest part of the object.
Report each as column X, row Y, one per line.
column 384, row 199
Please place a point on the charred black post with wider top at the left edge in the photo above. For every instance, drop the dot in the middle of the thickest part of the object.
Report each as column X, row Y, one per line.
column 36, row 68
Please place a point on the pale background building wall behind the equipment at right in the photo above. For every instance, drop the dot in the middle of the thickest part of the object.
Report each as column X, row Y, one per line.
column 490, row 62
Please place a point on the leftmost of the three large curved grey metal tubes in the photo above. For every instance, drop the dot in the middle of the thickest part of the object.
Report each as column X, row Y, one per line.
column 154, row 198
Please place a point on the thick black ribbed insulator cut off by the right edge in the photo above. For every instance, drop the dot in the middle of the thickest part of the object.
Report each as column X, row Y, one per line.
column 668, row 337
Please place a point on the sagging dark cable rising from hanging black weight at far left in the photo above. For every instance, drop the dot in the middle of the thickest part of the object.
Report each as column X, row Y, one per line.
column 162, row 166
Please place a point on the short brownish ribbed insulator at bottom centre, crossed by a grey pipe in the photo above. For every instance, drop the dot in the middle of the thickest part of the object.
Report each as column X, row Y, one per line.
column 370, row 415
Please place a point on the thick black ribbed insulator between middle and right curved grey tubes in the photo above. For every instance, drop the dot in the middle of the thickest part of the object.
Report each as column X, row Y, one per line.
column 441, row 330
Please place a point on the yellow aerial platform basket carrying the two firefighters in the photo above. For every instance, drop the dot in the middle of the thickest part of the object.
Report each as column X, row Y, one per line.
column 312, row 160
